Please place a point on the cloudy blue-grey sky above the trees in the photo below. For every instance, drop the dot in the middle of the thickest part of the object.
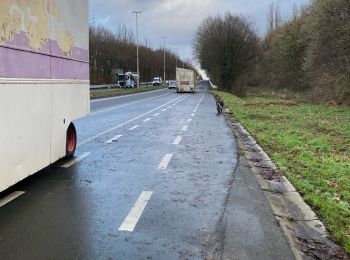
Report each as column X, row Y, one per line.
column 179, row 19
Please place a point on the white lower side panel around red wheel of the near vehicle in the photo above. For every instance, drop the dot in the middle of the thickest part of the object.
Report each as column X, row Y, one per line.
column 66, row 108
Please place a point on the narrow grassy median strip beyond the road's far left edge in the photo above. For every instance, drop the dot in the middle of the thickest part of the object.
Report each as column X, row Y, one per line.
column 101, row 93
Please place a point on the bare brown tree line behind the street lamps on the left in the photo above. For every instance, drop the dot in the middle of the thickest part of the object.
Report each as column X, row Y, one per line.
column 111, row 50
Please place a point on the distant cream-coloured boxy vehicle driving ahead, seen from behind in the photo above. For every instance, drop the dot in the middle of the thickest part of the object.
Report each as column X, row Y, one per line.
column 185, row 80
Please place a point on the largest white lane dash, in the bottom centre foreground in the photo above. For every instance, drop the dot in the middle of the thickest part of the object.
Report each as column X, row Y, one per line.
column 136, row 212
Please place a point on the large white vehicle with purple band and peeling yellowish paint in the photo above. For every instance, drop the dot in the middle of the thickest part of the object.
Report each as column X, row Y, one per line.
column 44, row 83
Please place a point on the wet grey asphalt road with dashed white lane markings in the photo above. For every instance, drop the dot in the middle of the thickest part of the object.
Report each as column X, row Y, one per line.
column 157, row 176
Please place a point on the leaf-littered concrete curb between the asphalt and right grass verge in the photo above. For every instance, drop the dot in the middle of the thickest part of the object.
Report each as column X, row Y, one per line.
column 304, row 231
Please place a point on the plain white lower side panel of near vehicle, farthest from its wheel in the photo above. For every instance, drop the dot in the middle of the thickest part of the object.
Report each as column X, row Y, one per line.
column 25, row 128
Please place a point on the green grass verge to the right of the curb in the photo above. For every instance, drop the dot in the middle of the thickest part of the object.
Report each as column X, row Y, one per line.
column 311, row 146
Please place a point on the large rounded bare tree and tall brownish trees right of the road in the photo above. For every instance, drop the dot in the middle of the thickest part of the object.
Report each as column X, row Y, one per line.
column 308, row 54
